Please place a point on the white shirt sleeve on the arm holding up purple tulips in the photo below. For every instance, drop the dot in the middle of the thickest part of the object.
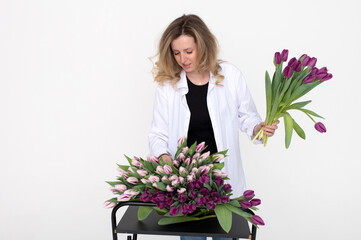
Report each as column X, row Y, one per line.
column 248, row 116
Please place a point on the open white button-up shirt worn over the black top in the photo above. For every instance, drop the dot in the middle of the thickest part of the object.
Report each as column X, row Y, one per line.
column 230, row 107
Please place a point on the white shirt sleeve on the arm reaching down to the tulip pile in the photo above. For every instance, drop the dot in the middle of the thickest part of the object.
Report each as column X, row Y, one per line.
column 158, row 135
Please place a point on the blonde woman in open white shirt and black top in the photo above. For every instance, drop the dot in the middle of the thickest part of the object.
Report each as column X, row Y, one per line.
column 201, row 97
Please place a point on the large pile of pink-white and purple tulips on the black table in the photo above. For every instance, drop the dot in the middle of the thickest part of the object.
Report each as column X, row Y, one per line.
column 190, row 188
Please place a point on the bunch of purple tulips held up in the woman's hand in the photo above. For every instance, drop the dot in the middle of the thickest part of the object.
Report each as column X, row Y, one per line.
column 289, row 84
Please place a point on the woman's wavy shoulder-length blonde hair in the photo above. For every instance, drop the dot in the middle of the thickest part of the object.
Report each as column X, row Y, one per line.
column 166, row 69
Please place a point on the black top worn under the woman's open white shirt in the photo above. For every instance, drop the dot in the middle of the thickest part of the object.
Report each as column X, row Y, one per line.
column 200, row 126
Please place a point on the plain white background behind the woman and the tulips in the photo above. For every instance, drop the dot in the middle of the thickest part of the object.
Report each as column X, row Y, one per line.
column 76, row 93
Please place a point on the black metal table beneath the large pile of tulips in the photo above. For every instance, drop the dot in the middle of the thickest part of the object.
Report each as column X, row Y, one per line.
column 206, row 228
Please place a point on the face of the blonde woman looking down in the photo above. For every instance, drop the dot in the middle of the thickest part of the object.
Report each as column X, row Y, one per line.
column 185, row 53
